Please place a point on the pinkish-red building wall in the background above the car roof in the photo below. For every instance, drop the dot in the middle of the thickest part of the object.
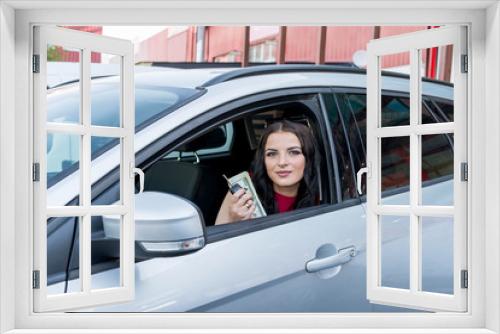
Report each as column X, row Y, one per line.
column 225, row 44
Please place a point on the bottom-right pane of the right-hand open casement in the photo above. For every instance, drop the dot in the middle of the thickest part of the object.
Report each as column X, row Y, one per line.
column 437, row 254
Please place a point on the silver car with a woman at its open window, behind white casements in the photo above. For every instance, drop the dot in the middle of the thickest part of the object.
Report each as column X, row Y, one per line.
column 193, row 126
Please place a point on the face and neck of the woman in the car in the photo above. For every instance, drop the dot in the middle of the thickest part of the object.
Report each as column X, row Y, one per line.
column 284, row 162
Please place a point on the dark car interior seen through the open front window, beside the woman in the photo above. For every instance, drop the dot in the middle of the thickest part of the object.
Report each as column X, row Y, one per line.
column 198, row 177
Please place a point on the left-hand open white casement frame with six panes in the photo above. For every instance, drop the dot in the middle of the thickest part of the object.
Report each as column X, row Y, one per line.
column 85, row 43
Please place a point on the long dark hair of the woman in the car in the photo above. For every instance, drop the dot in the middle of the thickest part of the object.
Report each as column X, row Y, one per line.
column 308, row 189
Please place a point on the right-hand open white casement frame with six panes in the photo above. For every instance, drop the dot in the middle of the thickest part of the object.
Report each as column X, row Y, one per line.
column 414, row 296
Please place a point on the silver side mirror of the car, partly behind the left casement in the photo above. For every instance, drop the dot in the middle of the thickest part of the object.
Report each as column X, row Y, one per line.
column 165, row 225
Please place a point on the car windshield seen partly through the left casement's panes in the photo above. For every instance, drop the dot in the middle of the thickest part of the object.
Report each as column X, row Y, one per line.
column 63, row 106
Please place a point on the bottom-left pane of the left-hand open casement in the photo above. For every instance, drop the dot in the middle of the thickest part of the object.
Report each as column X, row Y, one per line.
column 63, row 255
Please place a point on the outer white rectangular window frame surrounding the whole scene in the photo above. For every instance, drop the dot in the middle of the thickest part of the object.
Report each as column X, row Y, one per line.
column 483, row 122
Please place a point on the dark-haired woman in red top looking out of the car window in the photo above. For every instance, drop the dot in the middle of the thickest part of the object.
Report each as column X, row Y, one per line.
column 283, row 173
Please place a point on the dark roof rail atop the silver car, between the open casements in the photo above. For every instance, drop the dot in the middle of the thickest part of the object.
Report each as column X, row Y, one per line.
column 274, row 69
